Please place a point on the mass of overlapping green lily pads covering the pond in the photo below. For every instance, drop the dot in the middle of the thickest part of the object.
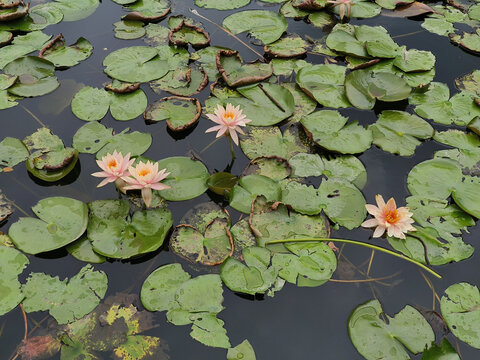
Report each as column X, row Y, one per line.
column 297, row 137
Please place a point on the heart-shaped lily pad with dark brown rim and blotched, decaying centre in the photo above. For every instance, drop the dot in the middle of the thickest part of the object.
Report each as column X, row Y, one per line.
column 211, row 248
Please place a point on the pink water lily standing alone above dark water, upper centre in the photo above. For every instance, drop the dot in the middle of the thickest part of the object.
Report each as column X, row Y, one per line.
column 229, row 120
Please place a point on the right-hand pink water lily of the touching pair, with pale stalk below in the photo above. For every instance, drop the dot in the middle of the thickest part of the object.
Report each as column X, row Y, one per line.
column 145, row 177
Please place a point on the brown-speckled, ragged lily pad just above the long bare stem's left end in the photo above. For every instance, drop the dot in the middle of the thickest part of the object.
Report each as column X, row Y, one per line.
column 275, row 223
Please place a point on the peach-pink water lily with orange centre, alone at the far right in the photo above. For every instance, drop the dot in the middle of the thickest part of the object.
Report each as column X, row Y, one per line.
column 387, row 217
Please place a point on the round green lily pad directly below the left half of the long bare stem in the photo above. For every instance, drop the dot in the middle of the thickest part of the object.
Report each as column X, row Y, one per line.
column 307, row 264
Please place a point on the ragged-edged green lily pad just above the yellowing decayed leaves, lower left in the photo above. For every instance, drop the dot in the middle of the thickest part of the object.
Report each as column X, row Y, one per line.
column 66, row 300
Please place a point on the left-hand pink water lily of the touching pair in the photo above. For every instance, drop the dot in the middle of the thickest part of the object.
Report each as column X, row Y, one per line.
column 114, row 167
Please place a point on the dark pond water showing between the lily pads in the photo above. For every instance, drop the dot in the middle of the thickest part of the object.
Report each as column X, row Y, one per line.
column 298, row 323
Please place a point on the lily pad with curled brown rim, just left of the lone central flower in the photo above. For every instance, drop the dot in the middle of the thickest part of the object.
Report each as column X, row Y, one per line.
column 179, row 113
